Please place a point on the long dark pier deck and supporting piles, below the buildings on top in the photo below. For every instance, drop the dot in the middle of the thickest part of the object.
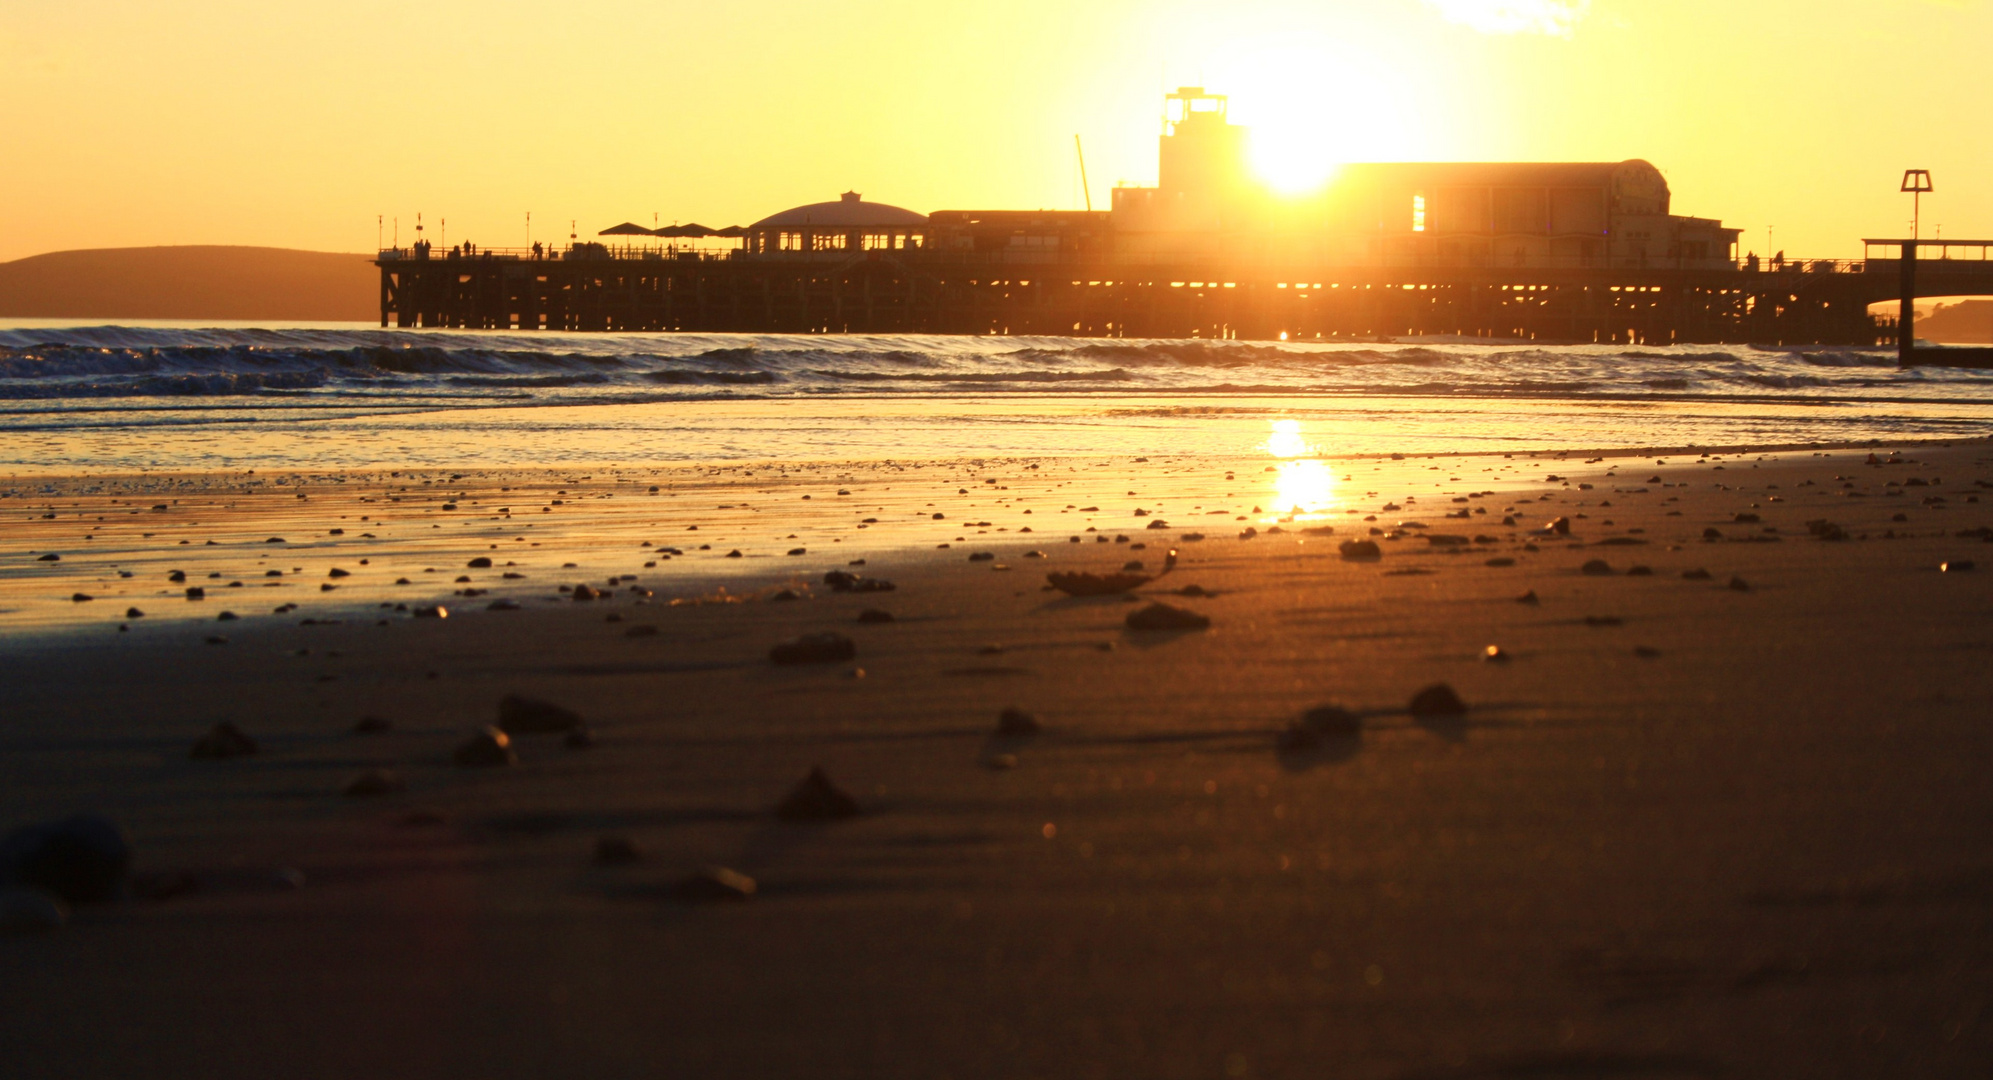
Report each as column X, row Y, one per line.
column 1813, row 302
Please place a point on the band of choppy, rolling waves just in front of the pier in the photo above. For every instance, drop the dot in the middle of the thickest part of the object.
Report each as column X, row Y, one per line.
column 461, row 368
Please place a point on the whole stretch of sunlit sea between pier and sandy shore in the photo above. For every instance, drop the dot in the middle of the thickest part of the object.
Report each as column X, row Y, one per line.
column 188, row 398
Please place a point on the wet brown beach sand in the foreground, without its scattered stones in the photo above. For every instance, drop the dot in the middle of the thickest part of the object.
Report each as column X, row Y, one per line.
column 1683, row 830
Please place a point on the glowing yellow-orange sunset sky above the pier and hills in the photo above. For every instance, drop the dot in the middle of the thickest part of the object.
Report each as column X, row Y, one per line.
column 296, row 125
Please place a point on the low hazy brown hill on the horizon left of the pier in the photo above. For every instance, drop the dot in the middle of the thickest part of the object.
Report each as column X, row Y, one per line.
column 192, row 284
